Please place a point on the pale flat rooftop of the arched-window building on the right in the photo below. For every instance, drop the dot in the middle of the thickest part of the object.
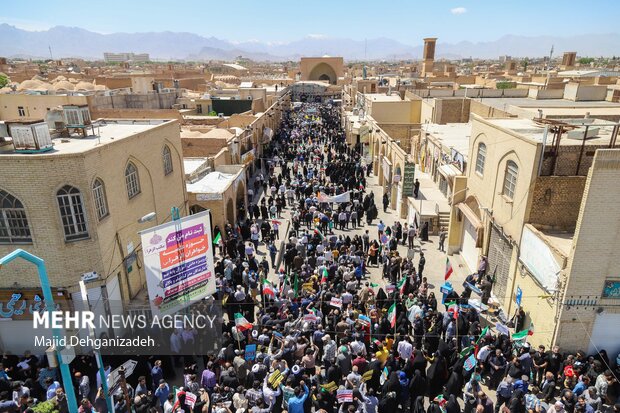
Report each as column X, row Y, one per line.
column 529, row 129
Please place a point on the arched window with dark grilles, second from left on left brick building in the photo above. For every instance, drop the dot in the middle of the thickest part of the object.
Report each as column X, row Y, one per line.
column 72, row 213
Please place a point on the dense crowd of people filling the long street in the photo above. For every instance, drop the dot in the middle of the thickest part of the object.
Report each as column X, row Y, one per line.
column 311, row 331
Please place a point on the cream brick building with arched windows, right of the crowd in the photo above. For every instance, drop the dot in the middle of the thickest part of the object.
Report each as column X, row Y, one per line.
column 526, row 202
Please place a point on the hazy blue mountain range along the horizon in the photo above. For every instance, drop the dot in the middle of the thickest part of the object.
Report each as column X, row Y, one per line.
column 77, row 42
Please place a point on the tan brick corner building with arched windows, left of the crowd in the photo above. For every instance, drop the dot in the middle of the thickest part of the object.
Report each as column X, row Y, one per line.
column 78, row 206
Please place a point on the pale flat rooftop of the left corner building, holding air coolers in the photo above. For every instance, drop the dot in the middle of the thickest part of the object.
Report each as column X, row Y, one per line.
column 113, row 130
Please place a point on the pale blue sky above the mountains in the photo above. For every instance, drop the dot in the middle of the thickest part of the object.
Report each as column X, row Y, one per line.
column 280, row 21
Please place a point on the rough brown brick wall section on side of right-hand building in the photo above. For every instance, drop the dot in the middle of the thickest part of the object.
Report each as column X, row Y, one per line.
column 556, row 201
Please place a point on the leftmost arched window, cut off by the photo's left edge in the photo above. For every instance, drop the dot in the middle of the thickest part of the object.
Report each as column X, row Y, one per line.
column 14, row 227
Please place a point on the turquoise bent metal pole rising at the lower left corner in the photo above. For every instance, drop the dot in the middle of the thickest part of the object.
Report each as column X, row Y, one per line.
column 49, row 306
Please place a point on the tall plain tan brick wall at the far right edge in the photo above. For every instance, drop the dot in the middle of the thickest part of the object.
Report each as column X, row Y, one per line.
column 595, row 256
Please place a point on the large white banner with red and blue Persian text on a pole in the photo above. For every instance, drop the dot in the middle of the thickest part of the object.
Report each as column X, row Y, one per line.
column 178, row 260
